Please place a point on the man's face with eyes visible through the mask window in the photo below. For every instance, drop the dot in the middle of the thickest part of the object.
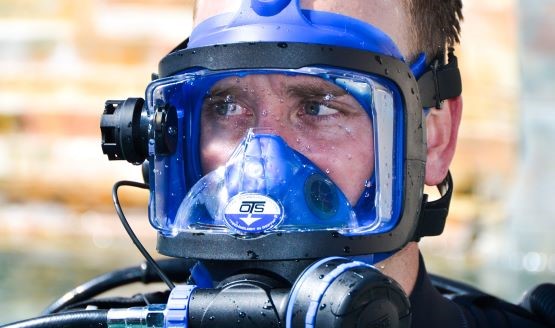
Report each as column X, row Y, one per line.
column 315, row 117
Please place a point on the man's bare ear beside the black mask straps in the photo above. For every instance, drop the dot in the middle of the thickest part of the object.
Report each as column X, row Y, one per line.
column 442, row 126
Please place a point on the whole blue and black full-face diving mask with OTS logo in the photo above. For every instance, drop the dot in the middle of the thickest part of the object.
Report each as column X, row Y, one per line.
column 199, row 212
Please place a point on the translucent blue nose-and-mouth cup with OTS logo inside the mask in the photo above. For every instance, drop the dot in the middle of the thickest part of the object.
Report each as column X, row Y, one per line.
column 266, row 186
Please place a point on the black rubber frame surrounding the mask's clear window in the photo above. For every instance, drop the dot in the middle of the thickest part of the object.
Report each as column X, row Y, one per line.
column 306, row 245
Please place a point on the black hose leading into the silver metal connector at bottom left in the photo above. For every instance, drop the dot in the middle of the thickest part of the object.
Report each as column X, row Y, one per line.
column 81, row 319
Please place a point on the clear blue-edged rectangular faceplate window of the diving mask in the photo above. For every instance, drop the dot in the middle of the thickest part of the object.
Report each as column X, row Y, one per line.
column 323, row 112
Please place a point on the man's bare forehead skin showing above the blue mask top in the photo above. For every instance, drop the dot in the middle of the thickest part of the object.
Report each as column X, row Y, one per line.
column 390, row 16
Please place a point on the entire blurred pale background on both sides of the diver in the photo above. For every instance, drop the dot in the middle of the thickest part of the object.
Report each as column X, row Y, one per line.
column 61, row 59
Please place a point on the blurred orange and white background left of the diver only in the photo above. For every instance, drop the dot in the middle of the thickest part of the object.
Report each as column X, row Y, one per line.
column 59, row 61
